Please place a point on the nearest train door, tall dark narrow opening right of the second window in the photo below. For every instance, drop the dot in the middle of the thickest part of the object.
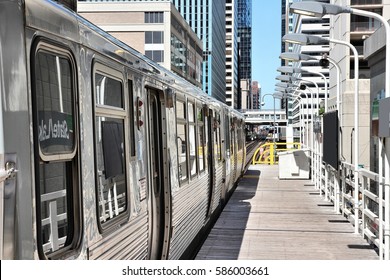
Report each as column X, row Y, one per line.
column 159, row 187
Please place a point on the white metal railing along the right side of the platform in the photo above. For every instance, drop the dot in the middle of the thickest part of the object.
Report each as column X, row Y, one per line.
column 365, row 212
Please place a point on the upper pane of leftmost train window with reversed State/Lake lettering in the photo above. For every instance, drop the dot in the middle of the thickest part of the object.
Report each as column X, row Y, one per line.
column 55, row 104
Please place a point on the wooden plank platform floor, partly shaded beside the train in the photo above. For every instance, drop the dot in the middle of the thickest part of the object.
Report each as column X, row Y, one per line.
column 271, row 219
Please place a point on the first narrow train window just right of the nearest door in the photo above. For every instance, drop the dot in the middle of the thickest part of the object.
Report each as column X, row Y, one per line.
column 182, row 139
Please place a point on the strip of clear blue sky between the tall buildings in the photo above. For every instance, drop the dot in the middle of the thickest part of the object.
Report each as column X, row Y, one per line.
column 266, row 46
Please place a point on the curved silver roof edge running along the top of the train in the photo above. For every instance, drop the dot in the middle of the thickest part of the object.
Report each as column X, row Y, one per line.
column 56, row 19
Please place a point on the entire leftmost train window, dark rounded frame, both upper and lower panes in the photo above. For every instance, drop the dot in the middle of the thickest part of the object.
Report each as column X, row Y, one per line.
column 55, row 129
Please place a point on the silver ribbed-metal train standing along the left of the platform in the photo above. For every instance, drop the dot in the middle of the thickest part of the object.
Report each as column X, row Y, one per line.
column 103, row 153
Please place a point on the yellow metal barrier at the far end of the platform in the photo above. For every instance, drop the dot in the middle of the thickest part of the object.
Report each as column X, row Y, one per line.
column 267, row 153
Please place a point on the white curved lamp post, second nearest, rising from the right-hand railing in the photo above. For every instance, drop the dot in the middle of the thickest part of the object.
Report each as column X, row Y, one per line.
column 304, row 39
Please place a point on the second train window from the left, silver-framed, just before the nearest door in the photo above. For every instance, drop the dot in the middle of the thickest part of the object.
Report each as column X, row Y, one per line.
column 110, row 124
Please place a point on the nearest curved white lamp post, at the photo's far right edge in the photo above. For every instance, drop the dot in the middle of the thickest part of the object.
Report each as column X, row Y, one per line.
column 318, row 9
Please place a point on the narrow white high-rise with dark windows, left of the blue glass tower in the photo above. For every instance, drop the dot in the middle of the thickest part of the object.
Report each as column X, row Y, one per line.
column 232, row 83
